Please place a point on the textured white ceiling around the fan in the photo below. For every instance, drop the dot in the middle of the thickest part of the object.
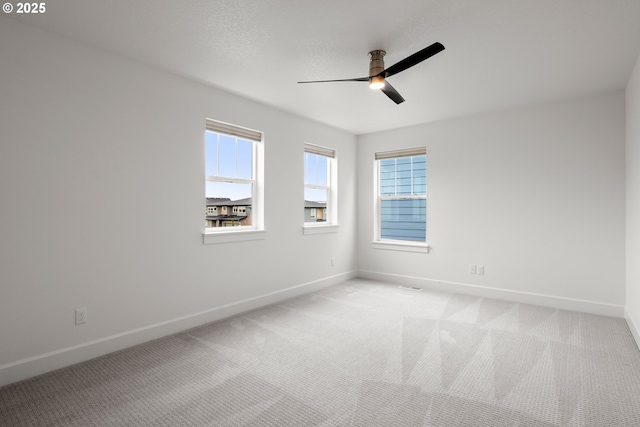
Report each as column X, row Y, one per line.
column 499, row 53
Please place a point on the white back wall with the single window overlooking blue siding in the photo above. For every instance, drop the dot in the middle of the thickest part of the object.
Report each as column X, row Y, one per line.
column 536, row 196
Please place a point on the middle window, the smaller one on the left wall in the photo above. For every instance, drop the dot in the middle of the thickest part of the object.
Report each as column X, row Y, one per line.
column 320, row 195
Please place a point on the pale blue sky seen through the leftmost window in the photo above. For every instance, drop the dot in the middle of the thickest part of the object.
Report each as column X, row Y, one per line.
column 228, row 157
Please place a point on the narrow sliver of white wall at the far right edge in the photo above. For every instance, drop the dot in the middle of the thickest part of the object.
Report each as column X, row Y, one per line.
column 632, row 313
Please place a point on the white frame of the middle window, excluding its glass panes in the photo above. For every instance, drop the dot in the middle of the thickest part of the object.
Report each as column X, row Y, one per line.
column 331, row 223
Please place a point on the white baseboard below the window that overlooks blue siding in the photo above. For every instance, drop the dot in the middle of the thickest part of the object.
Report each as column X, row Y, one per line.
column 562, row 303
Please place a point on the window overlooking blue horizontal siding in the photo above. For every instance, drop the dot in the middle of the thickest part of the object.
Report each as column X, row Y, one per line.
column 401, row 202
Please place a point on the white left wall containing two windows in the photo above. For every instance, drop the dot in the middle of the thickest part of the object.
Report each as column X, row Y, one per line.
column 102, row 203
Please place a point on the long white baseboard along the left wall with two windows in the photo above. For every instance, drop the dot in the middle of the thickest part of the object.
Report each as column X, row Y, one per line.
column 42, row 363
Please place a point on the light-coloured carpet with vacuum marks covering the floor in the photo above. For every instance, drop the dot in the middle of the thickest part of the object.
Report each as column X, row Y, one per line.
column 362, row 353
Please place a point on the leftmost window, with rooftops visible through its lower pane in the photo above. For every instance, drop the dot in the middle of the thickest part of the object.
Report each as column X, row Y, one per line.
column 233, row 172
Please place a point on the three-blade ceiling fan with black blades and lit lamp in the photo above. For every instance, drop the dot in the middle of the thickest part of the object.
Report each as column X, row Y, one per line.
column 378, row 74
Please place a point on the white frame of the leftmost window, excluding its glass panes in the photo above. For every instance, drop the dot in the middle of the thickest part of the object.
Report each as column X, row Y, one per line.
column 255, row 231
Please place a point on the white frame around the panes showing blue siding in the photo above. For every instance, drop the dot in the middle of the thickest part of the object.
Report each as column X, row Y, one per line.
column 395, row 244
